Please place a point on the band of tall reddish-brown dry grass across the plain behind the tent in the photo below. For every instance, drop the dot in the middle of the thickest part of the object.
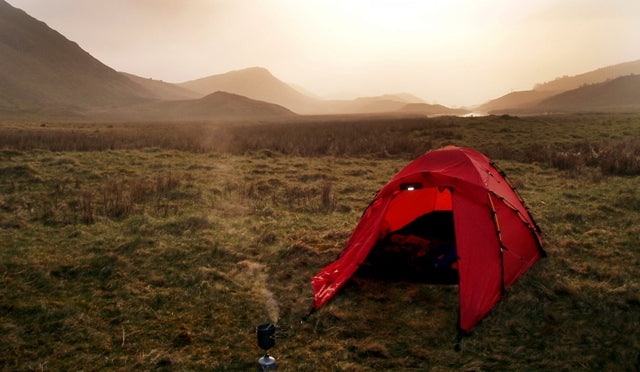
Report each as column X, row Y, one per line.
column 609, row 142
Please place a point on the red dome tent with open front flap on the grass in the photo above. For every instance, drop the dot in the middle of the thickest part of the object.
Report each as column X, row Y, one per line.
column 495, row 237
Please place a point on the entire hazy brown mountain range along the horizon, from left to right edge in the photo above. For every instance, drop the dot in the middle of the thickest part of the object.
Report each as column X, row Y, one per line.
column 44, row 74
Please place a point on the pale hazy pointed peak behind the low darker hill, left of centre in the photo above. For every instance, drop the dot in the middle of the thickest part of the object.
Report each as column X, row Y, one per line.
column 259, row 84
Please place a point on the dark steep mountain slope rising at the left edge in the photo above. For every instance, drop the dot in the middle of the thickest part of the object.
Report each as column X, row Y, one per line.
column 42, row 68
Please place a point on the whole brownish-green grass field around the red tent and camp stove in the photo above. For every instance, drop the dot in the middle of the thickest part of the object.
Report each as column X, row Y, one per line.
column 155, row 246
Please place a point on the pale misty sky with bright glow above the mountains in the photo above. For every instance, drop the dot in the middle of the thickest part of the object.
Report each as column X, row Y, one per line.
column 454, row 52
